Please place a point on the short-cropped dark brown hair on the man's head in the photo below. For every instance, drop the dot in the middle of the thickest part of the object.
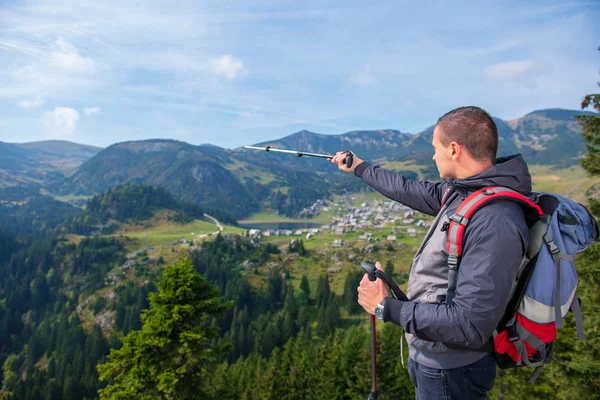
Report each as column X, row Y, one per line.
column 473, row 128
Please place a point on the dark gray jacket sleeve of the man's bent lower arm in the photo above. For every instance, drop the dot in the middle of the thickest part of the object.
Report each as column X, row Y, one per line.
column 495, row 244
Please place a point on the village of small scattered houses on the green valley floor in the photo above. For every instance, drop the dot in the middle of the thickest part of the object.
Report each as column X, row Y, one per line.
column 348, row 217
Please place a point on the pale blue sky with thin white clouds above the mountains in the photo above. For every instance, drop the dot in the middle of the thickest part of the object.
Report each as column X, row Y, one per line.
column 231, row 73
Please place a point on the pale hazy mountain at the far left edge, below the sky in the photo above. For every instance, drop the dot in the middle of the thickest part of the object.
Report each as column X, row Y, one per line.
column 36, row 164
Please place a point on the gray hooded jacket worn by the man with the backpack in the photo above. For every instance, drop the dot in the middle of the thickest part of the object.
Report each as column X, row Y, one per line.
column 494, row 246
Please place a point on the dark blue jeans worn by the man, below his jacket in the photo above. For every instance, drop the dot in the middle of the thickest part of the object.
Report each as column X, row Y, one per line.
column 471, row 382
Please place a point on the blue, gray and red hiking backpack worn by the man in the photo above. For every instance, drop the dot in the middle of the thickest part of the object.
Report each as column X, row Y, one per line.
column 545, row 288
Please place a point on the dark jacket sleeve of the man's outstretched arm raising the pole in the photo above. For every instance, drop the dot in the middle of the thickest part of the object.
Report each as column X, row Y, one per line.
column 422, row 196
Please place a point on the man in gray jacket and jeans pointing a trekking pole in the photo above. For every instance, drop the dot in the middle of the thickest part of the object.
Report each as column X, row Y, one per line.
column 449, row 342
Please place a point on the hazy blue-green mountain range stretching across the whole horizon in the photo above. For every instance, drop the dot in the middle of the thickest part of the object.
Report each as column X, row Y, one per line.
column 243, row 181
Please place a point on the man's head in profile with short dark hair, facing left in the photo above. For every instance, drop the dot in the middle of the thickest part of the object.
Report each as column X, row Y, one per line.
column 465, row 141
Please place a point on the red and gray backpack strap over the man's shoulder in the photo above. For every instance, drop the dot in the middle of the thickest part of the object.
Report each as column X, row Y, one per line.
column 461, row 218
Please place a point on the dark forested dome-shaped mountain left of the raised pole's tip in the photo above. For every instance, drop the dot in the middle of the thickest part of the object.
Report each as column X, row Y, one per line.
column 190, row 173
